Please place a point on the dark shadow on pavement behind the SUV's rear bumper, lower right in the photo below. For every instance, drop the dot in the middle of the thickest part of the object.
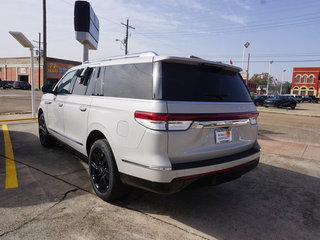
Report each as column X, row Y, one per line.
column 267, row 203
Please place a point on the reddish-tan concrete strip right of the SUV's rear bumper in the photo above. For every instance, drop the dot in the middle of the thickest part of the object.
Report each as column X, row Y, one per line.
column 291, row 149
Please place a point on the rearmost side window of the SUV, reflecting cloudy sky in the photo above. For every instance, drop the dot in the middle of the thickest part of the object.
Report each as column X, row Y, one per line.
column 128, row 81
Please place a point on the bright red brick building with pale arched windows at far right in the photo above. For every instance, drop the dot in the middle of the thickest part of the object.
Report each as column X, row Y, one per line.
column 306, row 81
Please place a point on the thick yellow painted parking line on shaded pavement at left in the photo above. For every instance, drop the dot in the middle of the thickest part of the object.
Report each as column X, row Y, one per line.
column 11, row 171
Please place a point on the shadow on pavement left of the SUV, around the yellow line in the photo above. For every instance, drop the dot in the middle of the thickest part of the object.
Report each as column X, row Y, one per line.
column 44, row 174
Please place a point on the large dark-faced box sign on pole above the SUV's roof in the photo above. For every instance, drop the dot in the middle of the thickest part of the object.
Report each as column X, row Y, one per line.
column 86, row 26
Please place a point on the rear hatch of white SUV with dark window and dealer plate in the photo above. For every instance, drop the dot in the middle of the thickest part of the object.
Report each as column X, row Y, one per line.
column 211, row 114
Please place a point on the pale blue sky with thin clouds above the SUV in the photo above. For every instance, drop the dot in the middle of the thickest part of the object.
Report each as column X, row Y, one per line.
column 285, row 31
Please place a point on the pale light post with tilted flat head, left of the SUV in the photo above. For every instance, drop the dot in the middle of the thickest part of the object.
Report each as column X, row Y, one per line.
column 27, row 44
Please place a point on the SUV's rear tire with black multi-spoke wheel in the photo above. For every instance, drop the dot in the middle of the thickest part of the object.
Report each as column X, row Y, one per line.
column 104, row 175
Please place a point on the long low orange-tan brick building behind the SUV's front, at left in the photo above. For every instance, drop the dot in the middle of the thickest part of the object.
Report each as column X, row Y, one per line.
column 18, row 69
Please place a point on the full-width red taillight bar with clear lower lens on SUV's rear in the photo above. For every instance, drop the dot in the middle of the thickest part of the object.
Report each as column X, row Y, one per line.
column 182, row 121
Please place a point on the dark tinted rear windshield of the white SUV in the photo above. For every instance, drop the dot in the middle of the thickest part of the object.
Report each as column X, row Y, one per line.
column 185, row 82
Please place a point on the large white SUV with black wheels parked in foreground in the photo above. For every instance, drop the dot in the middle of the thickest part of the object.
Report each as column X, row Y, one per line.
column 158, row 123
